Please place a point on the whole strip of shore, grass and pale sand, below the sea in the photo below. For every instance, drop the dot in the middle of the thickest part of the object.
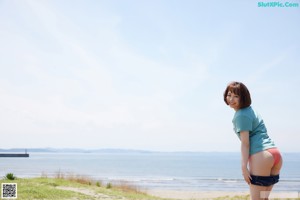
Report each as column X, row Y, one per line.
column 78, row 187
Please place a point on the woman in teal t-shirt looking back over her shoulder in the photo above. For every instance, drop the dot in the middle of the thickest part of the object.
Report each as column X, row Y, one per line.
column 258, row 151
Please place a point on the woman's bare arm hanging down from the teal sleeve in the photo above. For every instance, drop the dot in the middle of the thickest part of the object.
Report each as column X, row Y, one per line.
column 244, row 135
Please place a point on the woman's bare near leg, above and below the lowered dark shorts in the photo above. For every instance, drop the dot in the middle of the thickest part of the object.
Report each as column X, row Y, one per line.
column 261, row 164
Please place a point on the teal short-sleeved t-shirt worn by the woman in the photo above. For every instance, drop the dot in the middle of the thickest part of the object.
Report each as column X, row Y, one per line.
column 247, row 119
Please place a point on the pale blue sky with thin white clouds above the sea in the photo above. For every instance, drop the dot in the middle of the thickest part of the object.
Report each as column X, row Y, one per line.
column 146, row 75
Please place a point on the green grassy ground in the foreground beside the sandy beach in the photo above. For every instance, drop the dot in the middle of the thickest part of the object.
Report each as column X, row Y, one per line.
column 81, row 188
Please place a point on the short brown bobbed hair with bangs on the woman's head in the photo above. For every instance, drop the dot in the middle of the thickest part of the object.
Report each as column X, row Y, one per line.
column 240, row 89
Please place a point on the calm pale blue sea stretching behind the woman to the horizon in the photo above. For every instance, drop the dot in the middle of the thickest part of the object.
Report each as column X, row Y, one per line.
column 179, row 171
